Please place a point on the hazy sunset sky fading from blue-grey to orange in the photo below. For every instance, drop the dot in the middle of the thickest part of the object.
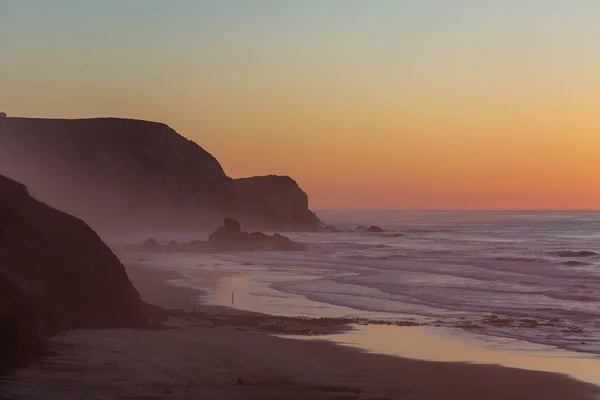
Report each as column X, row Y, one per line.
column 372, row 104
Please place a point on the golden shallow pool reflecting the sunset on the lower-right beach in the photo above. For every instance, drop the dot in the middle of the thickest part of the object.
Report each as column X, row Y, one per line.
column 451, row 345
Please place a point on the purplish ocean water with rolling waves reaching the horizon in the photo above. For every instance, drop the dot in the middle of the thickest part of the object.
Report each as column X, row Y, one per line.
column 533, row 276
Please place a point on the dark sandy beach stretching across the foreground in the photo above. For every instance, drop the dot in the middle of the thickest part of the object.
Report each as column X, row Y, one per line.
column 206, row 355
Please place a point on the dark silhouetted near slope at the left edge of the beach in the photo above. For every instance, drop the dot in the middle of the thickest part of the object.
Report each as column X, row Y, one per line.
column 55, row 274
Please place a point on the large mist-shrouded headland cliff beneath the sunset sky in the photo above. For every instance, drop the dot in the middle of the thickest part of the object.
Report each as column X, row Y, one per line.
column 111, row 171
